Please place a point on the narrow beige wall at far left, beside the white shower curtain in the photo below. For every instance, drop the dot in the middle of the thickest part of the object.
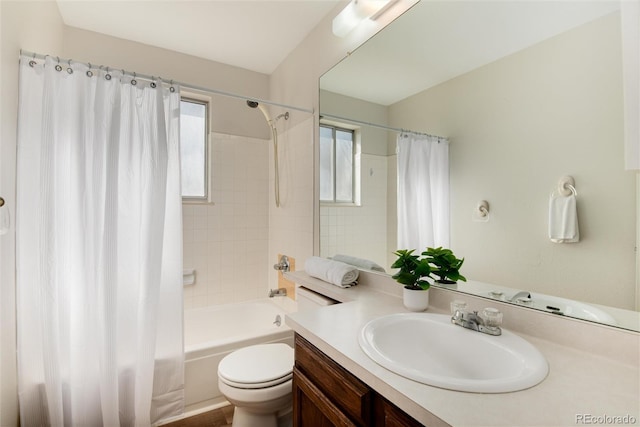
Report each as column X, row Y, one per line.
column 34, row 26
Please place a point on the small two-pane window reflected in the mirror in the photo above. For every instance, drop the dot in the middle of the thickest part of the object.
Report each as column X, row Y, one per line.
column 336, row 164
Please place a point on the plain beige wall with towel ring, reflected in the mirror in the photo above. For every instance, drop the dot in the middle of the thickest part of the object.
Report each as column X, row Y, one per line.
column 516, row 126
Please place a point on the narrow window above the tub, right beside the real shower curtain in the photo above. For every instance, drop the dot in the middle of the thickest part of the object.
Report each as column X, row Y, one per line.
column 194, row 149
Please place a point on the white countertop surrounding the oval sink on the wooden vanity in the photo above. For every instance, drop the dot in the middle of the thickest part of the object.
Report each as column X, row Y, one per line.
column 580, row 383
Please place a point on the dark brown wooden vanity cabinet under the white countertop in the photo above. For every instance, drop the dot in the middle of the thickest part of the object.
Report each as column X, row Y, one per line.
column 325, row 394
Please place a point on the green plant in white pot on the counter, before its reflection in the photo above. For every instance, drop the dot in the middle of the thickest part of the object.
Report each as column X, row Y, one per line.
column 413, row 272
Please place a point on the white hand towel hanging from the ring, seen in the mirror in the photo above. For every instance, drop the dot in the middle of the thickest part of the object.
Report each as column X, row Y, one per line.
column 563, row 219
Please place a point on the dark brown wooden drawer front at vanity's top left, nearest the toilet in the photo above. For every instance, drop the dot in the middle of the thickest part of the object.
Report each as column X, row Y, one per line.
column 348, row 393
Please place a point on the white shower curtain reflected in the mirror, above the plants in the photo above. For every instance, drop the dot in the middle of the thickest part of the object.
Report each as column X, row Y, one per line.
column 423, row 191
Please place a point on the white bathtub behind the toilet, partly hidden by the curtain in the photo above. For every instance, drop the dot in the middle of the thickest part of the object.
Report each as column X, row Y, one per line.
column 210, row 333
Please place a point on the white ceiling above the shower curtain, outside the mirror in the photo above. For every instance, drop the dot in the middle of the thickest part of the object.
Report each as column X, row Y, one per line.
column 253, row 34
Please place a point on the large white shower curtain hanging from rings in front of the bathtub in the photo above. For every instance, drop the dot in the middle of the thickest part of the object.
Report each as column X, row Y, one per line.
column 99, row 248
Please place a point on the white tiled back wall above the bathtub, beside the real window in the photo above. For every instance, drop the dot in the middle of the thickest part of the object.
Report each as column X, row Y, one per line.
column 227, row 242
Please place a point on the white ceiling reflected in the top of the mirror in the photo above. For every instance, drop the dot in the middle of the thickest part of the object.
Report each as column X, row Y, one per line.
column 438, row 40
